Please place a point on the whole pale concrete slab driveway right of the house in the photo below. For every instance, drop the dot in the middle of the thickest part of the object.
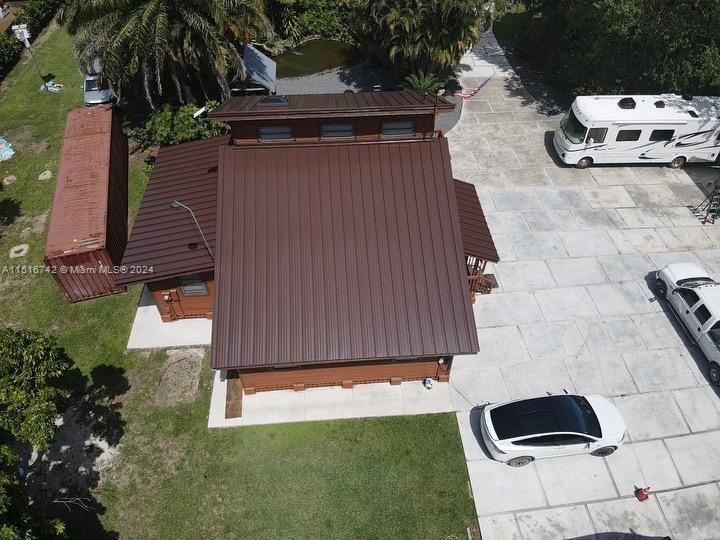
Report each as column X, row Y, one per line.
column 574, row 311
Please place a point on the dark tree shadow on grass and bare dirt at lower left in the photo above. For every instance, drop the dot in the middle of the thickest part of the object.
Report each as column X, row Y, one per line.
column 60, row 482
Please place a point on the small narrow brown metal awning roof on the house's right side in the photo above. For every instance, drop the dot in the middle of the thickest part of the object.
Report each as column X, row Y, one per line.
column 477, row 240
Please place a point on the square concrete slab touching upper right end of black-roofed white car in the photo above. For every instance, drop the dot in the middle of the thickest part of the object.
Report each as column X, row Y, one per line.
column 651, row 416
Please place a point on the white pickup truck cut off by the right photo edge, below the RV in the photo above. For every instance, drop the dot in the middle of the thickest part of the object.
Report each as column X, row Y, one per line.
column 694, row 297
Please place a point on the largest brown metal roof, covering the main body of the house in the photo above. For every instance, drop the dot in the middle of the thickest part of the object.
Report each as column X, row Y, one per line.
column 336, row 253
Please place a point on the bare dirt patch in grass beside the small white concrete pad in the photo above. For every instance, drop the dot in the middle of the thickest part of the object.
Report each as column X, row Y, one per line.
column 180, row 377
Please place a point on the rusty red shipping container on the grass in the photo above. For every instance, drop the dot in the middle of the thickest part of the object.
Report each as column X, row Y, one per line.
column 88, row 224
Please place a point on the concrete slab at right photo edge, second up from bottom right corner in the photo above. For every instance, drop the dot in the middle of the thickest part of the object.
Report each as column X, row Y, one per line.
column 696, row 456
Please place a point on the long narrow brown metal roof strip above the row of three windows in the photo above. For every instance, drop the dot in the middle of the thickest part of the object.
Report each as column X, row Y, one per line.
column 405, row 103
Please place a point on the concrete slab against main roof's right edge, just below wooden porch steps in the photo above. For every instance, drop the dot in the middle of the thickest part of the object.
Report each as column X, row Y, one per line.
column 505, row 309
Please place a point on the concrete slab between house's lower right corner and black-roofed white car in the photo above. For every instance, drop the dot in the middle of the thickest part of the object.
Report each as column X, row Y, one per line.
column 475, row 385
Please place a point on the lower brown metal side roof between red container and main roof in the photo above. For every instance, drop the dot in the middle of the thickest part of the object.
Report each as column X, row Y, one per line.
column 160, row 236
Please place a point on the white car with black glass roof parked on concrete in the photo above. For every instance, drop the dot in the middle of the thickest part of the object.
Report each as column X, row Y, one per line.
column 518, row 432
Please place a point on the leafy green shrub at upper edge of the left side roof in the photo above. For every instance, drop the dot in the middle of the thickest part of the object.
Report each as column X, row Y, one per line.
column 174, row 125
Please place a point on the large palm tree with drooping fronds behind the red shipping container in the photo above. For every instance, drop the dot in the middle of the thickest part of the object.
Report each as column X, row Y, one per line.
column 161, row 41
